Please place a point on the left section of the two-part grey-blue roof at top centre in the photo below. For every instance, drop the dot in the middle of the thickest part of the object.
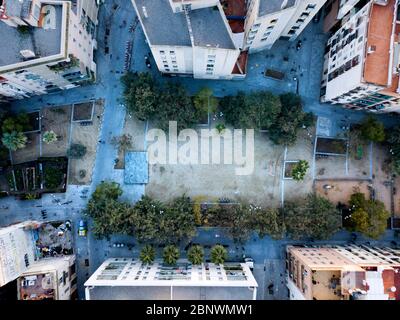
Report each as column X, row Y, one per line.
column 161, row 24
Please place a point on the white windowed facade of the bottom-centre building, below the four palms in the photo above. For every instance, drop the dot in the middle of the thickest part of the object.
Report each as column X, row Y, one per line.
column 128, row 272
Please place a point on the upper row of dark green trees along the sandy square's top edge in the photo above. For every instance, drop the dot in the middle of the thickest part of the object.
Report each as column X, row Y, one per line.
column 281, row 115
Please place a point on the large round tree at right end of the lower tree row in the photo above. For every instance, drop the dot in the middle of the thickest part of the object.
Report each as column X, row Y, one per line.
column 312, row 217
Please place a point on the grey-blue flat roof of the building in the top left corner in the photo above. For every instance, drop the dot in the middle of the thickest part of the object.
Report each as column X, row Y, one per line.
column 42, row 42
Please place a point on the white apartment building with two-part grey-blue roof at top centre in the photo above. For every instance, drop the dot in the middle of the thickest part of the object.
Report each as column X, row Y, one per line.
column 190, row 38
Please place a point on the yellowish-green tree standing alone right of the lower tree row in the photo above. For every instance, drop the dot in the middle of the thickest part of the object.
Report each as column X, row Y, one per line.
column 368, row 216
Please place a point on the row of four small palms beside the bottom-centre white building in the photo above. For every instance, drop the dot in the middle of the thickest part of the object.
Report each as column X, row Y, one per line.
column 195, row 254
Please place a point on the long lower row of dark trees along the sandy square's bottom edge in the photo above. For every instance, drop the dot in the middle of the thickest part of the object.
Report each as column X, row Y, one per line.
column 151, row 221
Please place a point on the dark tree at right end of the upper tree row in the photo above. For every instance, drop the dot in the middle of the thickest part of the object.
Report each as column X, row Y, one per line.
column 290, row 119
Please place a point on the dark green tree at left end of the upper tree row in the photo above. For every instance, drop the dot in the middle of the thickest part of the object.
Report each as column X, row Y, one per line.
column 140, row 94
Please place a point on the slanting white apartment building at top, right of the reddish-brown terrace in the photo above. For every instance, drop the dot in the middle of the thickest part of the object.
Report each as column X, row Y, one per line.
column 270, row 20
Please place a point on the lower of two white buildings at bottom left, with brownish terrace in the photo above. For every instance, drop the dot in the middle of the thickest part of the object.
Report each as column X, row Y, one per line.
column 49, row 279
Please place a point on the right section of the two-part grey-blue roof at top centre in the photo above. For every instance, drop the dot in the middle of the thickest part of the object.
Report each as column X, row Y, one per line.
column 209, row 28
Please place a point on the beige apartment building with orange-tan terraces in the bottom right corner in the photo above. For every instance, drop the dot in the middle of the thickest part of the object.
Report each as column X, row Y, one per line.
column 343, row 273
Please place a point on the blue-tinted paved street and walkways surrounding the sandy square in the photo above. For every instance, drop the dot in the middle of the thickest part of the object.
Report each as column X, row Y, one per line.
column 268, row 254
